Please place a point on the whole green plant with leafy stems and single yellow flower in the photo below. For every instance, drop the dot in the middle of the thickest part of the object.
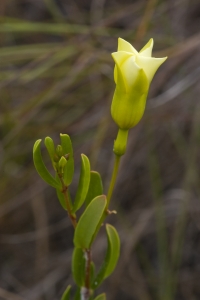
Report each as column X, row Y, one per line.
column 133, row 74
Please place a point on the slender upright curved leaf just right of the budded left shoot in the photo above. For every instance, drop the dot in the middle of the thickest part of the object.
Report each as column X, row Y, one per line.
column 84, row 182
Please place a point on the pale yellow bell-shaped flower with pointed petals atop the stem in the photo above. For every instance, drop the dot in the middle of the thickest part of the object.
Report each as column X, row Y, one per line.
column 133, row 74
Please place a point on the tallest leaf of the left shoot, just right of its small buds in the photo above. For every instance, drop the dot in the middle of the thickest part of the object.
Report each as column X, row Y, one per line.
column 68, row 150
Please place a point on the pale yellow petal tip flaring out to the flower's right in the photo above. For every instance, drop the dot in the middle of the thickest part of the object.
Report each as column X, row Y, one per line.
column 150, row 65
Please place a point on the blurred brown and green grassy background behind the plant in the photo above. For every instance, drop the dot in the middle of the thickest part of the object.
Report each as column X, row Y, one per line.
column 56, row 76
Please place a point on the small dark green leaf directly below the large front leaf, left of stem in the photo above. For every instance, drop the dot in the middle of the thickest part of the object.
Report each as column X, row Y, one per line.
column 78, row 266
